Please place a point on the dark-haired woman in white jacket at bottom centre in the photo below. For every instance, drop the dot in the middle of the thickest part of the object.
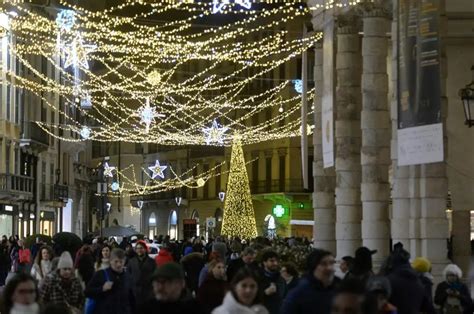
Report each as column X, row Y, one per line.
column 244, row 296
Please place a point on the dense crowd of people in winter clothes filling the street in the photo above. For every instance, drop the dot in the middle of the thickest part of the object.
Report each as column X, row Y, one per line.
column 221, row 276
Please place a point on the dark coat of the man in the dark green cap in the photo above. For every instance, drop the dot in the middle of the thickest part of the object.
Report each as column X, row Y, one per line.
column 184, row 305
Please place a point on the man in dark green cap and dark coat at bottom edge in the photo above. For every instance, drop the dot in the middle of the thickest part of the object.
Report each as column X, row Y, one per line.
column 169, row 293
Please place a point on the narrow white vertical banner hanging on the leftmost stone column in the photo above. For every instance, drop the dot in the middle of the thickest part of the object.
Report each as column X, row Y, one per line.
column 327, row 114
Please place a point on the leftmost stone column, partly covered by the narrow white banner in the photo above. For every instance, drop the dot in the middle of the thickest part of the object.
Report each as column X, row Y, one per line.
column 324, row 179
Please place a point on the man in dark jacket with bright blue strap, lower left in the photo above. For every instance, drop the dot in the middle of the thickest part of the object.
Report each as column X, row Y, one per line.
column 111, row 288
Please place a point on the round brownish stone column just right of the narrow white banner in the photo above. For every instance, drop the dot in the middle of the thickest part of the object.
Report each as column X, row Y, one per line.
column 348, row 137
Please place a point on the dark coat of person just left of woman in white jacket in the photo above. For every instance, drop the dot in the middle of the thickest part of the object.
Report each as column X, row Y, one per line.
column 211, row 293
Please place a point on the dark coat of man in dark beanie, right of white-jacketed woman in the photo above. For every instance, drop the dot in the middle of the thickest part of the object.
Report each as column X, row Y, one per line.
column 310, row 296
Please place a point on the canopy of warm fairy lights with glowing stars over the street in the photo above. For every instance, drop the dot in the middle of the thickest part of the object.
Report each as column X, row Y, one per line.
column 167, row 74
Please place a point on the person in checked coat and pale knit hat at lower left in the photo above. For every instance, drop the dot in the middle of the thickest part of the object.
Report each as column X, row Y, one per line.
column 62, row 286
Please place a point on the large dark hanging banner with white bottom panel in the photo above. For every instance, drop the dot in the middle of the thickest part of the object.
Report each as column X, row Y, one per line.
column 420, row 129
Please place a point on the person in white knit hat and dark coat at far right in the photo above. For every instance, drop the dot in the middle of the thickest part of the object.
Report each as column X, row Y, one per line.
column 452, row 295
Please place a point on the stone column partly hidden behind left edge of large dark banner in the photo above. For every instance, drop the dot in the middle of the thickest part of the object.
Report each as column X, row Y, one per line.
column 399, row 222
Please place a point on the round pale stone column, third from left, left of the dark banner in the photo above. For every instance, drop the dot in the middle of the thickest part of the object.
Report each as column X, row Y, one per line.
column 375, row 125
